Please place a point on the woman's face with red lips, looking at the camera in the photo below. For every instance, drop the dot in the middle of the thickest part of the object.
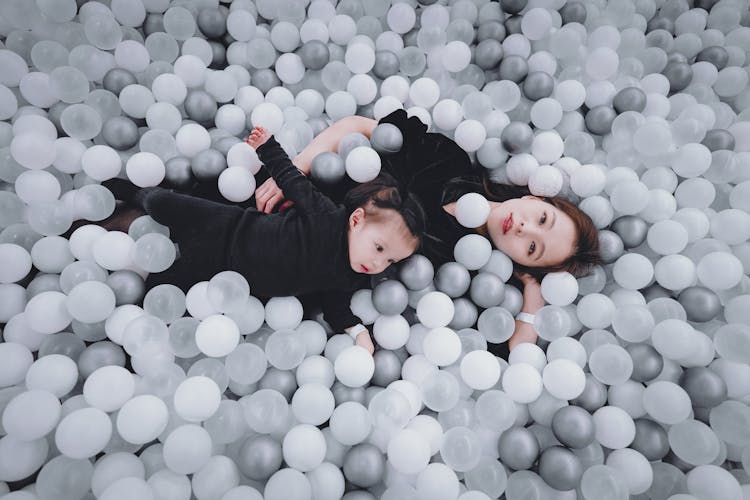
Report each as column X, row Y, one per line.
column 531, row 231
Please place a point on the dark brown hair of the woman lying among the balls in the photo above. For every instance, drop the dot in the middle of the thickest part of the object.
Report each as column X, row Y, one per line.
column 586, row 247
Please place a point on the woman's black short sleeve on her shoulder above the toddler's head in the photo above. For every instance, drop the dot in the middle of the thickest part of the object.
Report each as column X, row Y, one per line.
column 426, row 161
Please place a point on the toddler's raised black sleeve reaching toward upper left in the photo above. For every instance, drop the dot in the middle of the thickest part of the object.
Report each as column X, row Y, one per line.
column 291, row 181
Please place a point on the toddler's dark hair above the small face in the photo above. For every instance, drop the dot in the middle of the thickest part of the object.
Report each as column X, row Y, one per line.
column 384, row 192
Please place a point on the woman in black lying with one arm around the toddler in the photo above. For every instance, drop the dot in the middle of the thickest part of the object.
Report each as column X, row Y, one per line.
column 540, row 235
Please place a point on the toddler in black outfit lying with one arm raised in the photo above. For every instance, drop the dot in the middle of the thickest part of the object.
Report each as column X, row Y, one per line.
column 315, row 246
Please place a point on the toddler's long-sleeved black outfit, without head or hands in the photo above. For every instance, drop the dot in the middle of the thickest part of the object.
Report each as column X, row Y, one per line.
column 301, row 250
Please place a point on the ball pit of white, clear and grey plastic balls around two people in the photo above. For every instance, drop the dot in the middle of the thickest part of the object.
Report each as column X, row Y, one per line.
column 637, row 112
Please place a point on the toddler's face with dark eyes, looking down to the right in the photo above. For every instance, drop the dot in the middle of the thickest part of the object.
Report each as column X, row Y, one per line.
column 373, row 246
